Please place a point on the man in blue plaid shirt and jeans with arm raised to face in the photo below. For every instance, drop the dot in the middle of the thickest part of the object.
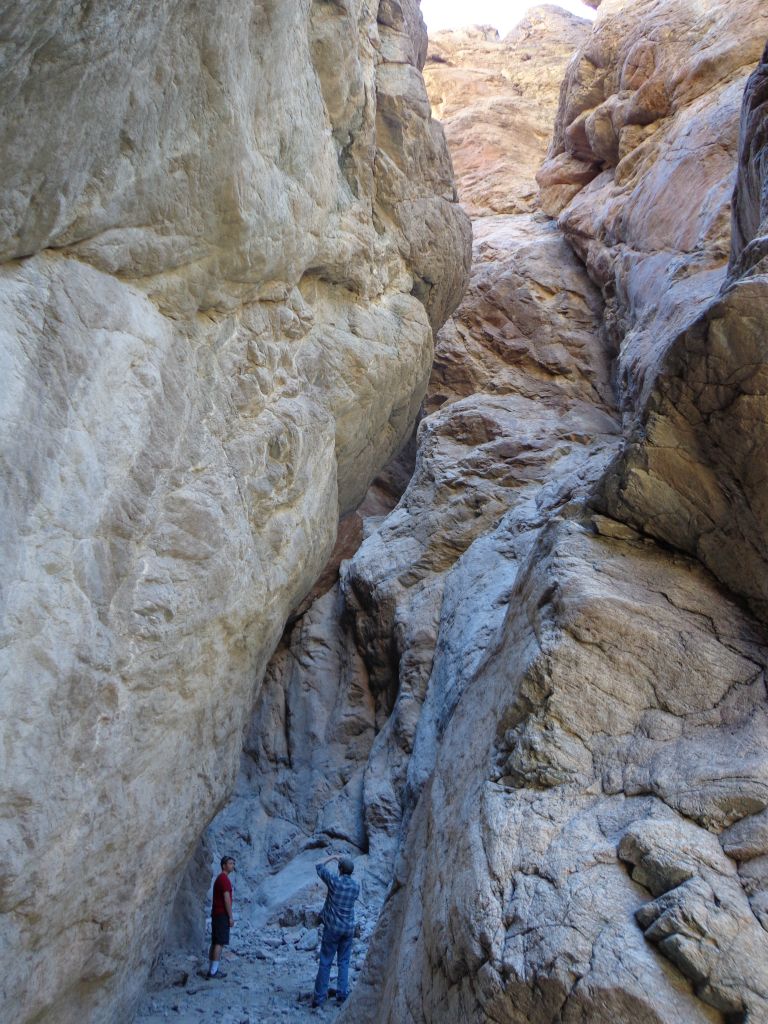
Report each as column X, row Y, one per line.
column 338, row 927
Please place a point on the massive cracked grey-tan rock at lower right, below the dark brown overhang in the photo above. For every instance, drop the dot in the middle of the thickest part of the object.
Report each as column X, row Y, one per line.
column 584, row 724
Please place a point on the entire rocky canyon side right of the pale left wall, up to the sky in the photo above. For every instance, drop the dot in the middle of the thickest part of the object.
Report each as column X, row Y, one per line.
column 535, row 703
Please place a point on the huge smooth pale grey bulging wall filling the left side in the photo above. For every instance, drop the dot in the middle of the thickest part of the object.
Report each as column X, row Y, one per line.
column 217, row 313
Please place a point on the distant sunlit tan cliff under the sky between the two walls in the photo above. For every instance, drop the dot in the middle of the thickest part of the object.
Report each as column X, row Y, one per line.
column 497, row 100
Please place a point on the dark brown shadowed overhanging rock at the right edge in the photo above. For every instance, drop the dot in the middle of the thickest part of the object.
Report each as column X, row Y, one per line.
column 693, row 474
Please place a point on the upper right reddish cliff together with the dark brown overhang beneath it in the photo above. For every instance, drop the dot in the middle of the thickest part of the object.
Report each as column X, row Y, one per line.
column 652, row 116
